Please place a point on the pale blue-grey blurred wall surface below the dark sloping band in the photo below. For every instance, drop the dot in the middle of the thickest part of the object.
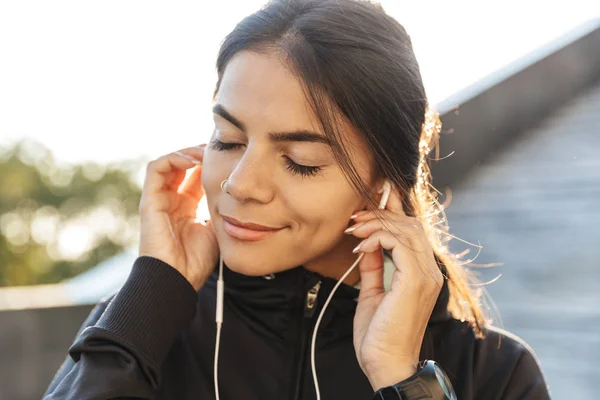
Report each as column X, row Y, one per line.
column 534, row 209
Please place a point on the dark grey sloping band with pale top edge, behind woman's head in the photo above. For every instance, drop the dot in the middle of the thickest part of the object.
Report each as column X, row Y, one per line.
column 487, row 116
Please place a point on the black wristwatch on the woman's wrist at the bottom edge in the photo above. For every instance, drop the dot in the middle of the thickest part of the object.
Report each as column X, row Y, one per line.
column 430, row 382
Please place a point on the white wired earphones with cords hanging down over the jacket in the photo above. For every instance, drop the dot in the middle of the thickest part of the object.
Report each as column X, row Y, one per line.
column 386, row 189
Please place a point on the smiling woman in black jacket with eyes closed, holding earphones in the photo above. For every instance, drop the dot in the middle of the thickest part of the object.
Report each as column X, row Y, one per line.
column 317, row 103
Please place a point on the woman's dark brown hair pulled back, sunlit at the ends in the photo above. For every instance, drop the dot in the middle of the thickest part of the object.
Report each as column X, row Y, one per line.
column 356, row 61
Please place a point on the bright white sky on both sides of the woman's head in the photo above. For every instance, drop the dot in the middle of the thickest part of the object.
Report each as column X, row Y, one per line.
column 119, row 79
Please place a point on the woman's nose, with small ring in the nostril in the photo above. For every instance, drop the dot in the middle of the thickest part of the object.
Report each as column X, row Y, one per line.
column 251, row 179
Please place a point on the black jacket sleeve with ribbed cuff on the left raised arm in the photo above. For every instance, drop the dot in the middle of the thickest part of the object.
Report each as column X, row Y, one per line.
column 118, row 351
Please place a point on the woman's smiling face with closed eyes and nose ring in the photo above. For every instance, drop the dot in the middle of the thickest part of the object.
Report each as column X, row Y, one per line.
column 279, row 169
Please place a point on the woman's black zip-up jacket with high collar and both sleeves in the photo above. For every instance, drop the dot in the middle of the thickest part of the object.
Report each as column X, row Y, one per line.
column 155, row 339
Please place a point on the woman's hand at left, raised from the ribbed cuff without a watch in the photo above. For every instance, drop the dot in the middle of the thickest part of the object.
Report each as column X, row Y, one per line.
column 169, row 230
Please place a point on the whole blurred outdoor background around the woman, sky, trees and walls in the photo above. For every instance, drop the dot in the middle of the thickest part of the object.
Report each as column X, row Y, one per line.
column 90, row 91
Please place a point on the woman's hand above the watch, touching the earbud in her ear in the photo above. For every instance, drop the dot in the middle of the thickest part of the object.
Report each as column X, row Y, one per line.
column 389, row 326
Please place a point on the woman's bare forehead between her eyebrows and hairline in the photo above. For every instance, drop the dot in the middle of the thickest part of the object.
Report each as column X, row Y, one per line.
column 258, row 87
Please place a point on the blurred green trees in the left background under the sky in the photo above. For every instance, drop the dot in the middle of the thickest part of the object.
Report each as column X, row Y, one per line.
column 57, row 220
